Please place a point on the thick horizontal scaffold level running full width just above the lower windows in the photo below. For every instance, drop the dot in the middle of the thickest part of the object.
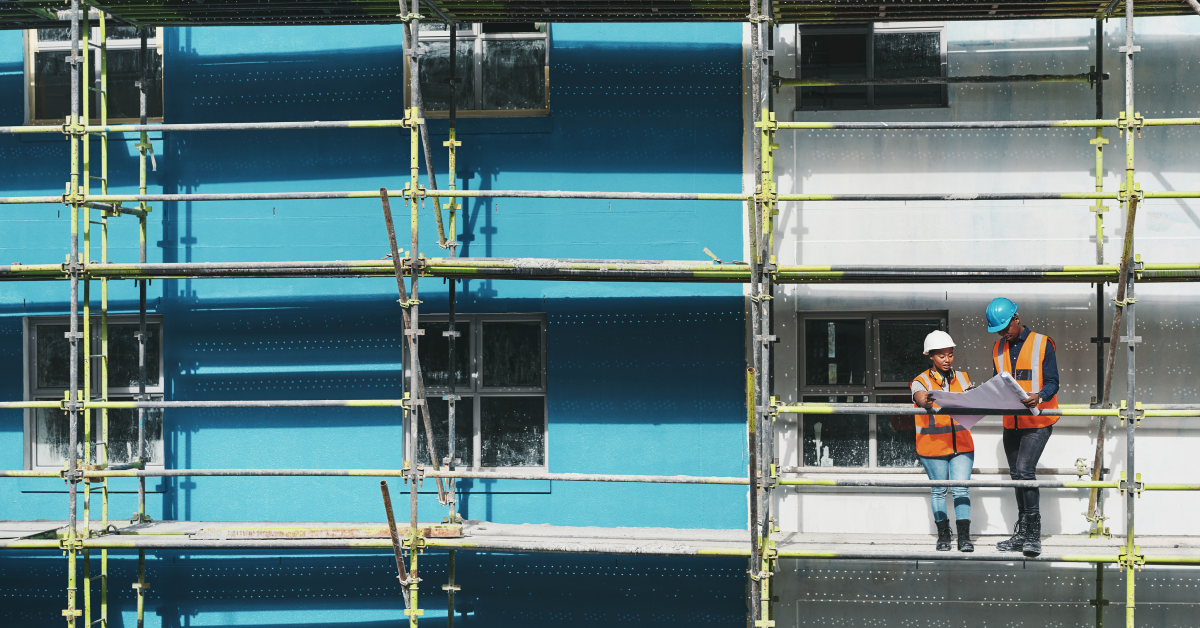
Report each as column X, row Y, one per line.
column 607, row 271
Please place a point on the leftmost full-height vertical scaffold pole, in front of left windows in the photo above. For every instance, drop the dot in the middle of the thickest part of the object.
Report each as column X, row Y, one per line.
column 74, row 273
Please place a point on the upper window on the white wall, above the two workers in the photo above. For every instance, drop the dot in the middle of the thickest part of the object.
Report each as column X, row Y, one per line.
column 879, row 51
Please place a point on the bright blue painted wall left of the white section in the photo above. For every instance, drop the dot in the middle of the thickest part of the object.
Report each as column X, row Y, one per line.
column 643, row 379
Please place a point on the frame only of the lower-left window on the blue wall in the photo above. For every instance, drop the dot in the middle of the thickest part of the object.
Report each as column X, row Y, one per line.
column 33, row 393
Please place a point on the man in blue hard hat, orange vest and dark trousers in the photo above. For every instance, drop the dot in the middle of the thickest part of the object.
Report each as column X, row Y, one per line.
column 1030, row 358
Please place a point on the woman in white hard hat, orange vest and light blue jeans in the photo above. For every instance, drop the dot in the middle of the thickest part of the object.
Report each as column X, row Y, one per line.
column 945, row 447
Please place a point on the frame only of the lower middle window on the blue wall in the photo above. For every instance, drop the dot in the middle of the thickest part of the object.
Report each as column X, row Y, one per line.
column 478, row 391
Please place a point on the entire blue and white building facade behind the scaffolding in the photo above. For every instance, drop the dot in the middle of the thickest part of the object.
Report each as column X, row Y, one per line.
column 592, row 378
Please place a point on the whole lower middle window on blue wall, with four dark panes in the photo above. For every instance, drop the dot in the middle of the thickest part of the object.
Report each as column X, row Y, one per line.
column 501, row 378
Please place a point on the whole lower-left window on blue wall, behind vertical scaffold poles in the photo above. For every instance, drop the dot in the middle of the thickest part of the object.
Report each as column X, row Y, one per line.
column 47, row 376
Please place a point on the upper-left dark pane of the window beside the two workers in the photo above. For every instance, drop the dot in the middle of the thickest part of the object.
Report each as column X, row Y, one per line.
column 836, row 352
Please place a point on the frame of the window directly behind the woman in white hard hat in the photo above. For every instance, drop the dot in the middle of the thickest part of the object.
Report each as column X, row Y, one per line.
column 872, row 320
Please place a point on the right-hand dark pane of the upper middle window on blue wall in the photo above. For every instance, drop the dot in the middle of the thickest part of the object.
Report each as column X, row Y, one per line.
column 514, row 75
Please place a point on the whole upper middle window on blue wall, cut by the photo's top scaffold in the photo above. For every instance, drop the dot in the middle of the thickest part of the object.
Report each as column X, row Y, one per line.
column 501, row 69
